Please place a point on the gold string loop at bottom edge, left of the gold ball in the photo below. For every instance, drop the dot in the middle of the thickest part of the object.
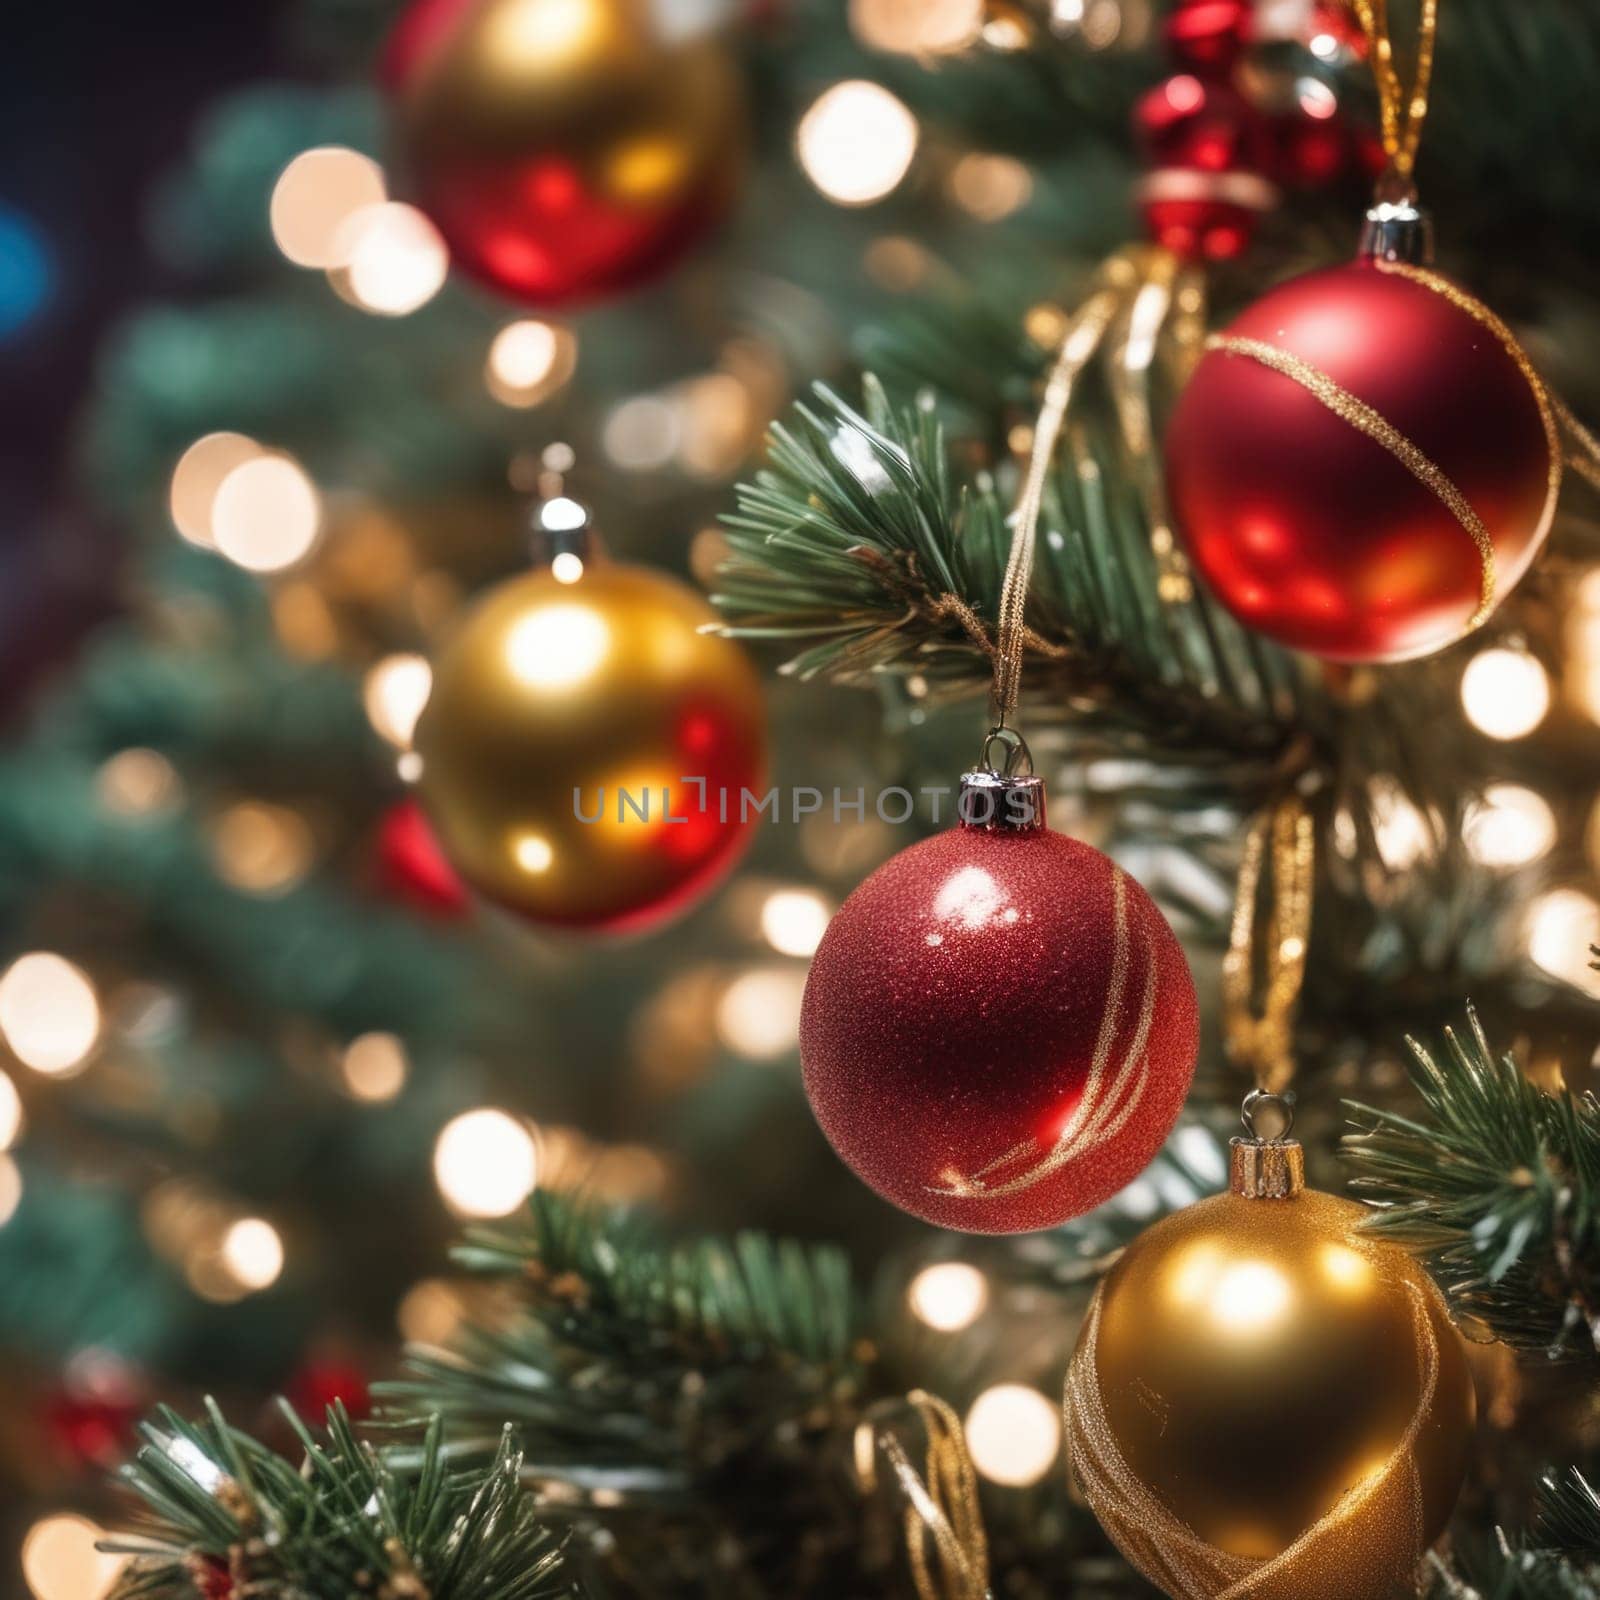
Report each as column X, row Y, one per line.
column 945, row 1524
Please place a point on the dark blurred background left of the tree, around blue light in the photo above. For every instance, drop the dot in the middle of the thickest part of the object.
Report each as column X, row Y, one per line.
column 95, row 103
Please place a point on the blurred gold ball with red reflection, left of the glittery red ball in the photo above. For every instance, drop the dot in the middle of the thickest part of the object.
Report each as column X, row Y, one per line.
column 586, row 748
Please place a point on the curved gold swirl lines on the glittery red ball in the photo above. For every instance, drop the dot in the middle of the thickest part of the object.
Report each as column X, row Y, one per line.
column 1103, row 1110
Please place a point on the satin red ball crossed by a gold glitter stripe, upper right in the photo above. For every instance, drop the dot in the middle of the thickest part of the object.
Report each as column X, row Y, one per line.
column 1316, row 534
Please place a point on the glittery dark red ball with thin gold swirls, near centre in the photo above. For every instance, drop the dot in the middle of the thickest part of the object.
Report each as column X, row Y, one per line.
column 999, row 1030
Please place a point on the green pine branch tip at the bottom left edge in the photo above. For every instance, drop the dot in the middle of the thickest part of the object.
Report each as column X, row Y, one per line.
column 230, row 1518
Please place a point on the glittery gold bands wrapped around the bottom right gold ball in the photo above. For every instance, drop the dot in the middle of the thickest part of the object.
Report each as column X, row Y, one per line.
column 1166, row 1550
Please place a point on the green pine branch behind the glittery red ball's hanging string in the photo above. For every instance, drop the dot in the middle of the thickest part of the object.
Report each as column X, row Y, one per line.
column 862, row 540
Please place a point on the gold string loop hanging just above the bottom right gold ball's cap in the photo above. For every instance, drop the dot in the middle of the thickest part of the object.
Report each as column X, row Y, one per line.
column 1258, row 1020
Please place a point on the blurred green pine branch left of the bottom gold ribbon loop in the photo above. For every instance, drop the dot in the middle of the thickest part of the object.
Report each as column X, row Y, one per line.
column 690, row 1398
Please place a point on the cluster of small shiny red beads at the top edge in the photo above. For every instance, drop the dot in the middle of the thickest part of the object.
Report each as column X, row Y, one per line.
column 1236, row 126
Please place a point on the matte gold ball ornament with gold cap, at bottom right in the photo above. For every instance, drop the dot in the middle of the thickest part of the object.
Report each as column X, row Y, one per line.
column 1268, row 1402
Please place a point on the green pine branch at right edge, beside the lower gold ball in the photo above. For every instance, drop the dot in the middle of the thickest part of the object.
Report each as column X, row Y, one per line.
column 1497, row 1185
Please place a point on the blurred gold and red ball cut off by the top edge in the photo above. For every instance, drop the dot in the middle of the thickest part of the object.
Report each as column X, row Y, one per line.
column 567, row 150
